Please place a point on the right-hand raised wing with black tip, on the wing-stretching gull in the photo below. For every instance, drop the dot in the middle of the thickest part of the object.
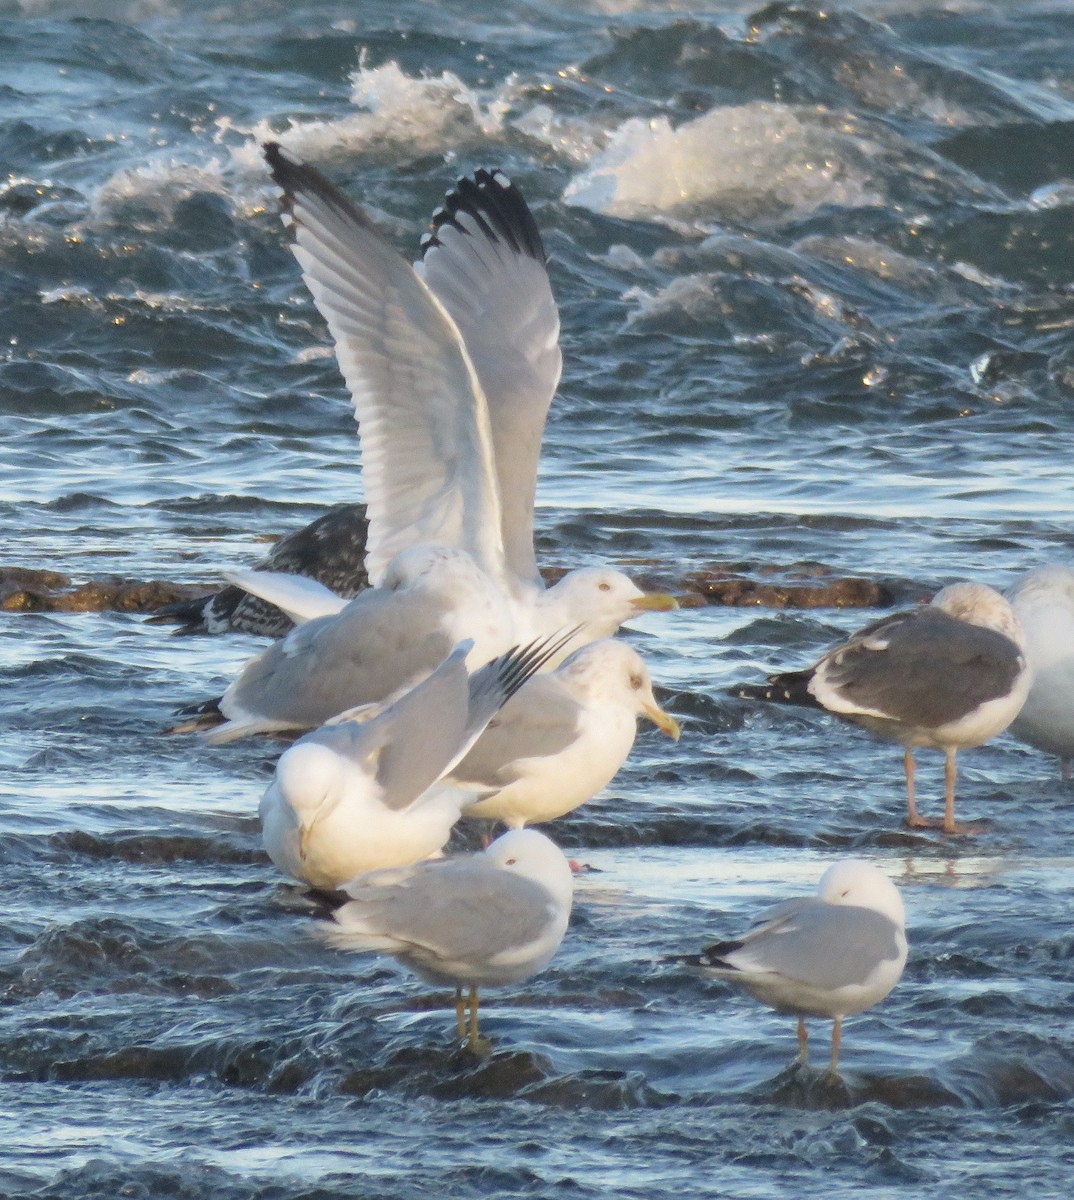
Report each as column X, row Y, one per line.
column 487, row 265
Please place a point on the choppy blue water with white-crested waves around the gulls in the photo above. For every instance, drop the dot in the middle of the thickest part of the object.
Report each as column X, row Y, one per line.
column 814, row 268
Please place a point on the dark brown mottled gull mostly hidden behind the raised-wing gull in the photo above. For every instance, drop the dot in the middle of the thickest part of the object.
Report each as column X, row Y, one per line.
column 329, row 551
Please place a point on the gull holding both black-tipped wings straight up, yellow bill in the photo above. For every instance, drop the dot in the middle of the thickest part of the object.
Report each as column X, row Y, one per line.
column 452, row 365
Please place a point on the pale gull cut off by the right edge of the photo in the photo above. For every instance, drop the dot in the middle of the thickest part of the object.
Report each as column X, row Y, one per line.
column 1045, row 604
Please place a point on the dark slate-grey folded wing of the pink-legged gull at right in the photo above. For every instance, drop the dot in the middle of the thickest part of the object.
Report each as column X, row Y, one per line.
column 922, row 668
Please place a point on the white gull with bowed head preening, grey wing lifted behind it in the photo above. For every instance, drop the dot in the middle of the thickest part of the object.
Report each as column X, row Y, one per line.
column 363, row 794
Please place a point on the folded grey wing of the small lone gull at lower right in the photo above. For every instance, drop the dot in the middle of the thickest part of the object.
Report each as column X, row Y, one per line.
column 818, row 944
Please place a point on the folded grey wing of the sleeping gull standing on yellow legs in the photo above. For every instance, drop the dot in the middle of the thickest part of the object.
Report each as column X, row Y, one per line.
column 460, row 909
